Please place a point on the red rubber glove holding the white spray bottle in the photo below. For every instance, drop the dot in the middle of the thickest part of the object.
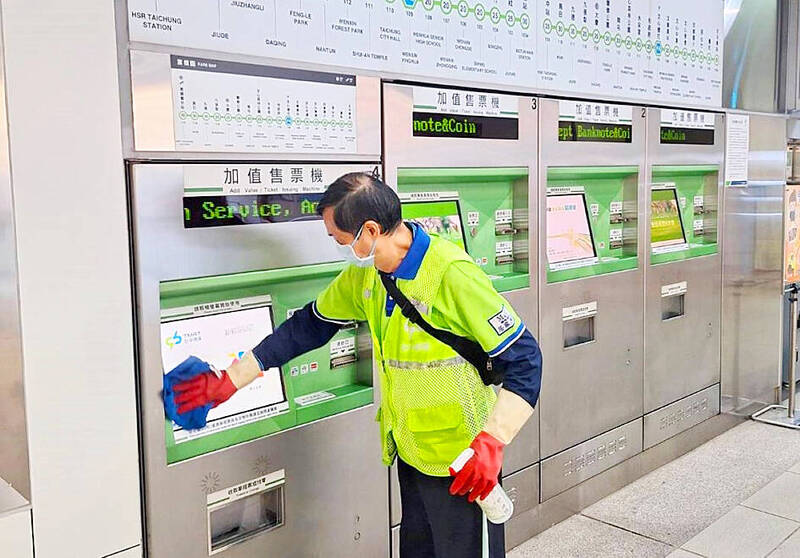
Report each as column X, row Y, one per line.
column 479, row 474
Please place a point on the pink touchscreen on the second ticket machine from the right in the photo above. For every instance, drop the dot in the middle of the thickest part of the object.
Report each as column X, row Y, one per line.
column 569, row 235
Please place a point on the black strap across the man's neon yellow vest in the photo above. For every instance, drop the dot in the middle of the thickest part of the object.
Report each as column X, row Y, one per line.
column 469, row 350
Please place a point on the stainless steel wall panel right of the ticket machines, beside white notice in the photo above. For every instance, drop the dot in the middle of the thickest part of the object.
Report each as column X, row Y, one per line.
column 752, row 249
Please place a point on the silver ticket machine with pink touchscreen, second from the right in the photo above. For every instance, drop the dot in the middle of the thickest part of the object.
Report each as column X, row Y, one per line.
column 592, row 160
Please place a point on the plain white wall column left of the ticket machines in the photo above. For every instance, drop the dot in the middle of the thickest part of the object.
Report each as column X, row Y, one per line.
column 68, row 181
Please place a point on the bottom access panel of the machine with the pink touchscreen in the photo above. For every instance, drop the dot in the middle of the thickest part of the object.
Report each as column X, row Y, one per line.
column 579, row 463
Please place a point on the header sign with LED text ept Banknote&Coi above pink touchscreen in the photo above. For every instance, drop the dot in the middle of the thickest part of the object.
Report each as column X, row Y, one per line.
column 595, row 122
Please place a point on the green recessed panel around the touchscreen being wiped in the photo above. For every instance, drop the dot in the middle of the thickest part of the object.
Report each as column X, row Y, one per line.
column 217, row 319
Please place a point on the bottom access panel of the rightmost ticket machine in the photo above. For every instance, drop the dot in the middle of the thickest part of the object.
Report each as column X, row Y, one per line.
column 676, row 417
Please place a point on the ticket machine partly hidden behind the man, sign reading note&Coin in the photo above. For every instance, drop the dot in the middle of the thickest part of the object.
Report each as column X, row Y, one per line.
column 464, row 165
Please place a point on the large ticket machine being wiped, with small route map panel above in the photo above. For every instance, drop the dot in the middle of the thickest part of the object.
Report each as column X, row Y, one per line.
column 224, row 253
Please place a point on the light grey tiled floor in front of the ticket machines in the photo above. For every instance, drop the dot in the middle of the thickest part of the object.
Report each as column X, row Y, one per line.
column 737, row 496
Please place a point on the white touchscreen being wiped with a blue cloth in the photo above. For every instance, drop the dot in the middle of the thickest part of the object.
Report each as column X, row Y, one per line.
column 219, row 338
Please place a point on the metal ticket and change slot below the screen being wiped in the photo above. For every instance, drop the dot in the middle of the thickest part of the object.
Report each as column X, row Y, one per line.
column 244, row 518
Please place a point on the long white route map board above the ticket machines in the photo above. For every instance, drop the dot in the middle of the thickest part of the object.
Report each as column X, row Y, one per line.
column 664, row 50
